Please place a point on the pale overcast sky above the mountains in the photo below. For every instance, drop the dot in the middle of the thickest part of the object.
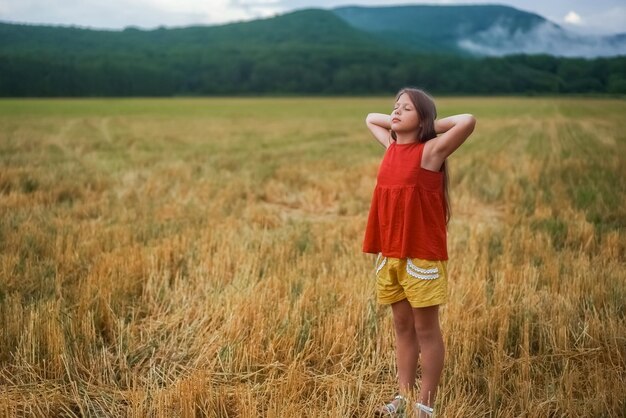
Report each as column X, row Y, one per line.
column 589, row 16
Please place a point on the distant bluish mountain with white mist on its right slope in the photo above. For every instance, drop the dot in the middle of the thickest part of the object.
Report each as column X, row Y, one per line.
column 489, row 30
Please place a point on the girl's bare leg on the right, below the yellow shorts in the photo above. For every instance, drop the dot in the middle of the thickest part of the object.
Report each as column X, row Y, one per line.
column 431, row 344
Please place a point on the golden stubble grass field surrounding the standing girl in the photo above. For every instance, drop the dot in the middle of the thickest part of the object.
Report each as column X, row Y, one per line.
column 202, row 257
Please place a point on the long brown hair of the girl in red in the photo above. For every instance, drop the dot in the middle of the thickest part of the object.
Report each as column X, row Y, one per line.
column 427, row 112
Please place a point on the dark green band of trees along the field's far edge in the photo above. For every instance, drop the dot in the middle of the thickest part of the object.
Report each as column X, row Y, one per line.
column 293, row 69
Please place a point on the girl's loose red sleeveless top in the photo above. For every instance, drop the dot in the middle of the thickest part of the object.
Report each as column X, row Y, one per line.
column 407, row 216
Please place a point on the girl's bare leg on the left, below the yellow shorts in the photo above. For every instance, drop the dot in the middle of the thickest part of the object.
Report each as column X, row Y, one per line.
column 407, row 347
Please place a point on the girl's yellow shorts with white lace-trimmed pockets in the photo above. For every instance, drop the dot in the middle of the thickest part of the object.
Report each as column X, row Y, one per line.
column 422, row 282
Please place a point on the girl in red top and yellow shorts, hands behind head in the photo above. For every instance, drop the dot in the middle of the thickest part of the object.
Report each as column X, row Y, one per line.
column 406, row 227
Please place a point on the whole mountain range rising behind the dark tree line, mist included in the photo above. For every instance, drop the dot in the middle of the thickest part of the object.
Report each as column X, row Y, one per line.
column 474, row 30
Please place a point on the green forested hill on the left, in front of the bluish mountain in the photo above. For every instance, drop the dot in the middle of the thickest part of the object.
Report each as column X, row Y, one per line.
column 298, row 29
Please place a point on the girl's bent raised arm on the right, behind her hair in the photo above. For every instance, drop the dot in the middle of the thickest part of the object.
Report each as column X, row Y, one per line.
column 454, row 131
